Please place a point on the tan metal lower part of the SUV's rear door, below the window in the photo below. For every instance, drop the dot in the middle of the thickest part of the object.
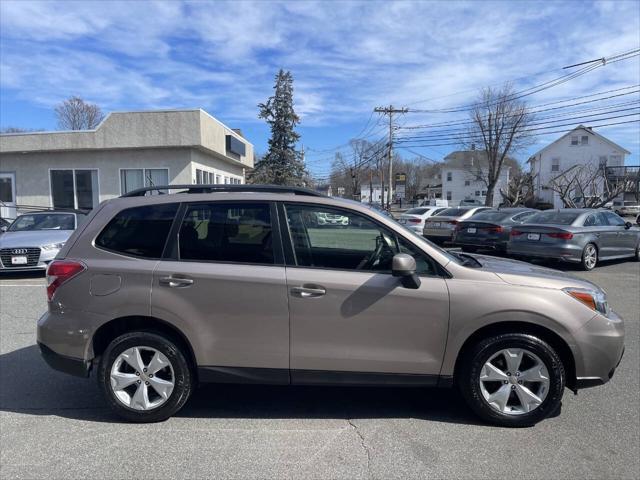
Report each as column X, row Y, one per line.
column 233, row 315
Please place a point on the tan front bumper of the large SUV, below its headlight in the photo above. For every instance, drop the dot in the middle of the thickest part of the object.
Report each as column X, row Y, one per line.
column 599, row 350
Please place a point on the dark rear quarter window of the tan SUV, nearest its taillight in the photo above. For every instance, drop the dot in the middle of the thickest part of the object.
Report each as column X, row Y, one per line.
column 139, row 231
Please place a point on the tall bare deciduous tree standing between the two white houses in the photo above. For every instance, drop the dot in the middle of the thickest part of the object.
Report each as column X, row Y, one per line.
column 499, row 125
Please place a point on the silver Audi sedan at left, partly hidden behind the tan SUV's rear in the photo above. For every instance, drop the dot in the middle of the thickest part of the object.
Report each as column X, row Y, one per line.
column 33, row 240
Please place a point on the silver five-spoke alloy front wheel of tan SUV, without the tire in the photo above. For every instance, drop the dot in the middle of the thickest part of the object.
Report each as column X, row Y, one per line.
column 514, row 381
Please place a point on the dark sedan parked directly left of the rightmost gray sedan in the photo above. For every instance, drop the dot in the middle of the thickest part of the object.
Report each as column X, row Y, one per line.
column 490, row 229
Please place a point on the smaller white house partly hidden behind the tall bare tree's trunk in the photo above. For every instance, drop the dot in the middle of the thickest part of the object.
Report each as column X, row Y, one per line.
column 462, row 174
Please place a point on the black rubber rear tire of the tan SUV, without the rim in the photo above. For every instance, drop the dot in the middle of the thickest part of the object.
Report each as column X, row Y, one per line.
column 182, row 376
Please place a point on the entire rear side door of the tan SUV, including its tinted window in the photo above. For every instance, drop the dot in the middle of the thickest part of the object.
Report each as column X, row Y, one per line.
column 222, row 282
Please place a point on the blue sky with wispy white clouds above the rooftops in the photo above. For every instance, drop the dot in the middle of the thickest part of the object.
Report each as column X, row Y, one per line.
column 346, row 58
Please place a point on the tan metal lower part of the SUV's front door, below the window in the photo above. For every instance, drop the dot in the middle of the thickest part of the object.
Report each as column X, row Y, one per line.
column 367, row 322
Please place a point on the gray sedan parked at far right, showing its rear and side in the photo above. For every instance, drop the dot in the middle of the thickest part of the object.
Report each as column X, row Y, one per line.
column 583, row 236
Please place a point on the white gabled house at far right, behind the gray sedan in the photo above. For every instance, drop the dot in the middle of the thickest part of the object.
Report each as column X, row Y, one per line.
column 582, row 146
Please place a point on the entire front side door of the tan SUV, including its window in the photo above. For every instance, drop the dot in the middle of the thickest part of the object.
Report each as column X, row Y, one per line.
column 358, row 318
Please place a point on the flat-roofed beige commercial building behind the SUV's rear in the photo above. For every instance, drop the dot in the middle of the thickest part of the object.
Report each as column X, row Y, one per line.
column 128, row 150
